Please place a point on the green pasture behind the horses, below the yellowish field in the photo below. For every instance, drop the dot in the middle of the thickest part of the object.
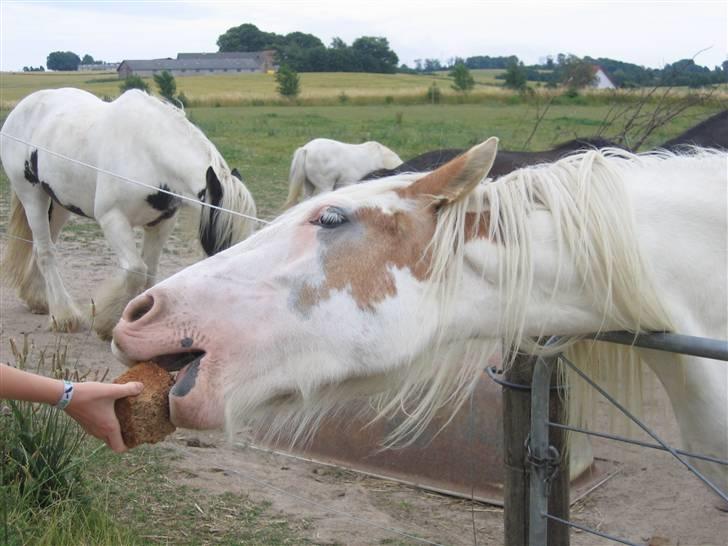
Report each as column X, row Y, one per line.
column 260, row 141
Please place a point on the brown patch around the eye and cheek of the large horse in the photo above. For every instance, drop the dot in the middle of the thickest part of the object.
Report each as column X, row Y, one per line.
column 360, row 261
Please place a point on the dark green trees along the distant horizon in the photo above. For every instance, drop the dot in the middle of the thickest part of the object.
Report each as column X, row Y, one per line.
column 302, row 52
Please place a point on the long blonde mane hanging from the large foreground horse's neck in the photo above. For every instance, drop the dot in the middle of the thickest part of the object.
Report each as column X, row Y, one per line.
column 594, row 224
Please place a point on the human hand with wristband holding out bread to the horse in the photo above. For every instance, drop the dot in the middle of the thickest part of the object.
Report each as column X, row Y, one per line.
column 92, row 406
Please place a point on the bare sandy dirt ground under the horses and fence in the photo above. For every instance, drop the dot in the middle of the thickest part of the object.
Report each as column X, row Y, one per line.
column 651, row 500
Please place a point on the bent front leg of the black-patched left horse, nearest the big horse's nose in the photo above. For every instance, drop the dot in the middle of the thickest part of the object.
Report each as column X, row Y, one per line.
column 116, row 292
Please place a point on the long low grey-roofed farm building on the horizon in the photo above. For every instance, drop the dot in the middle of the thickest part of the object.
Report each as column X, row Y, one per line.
column 198, row 64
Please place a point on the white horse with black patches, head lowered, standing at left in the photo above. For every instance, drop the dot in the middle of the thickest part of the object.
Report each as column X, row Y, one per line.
column 45, row 140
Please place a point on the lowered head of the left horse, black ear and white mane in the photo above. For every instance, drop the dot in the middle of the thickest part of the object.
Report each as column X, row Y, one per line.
column 220, row 229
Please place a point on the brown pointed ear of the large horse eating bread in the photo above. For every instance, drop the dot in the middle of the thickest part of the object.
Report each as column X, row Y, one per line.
column 457, row 178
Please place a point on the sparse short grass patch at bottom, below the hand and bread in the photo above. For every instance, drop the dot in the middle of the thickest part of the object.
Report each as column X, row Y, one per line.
column 144, row 493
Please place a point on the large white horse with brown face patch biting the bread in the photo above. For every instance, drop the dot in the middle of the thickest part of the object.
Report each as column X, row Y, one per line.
column 406, row 286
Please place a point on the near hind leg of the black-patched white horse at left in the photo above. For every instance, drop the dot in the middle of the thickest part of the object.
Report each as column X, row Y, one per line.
column 64, row 314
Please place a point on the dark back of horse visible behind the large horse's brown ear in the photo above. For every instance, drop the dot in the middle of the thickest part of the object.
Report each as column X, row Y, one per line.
column 505, row 161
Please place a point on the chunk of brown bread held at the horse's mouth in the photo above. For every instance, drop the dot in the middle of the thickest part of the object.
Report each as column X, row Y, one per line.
column 144, row 418
